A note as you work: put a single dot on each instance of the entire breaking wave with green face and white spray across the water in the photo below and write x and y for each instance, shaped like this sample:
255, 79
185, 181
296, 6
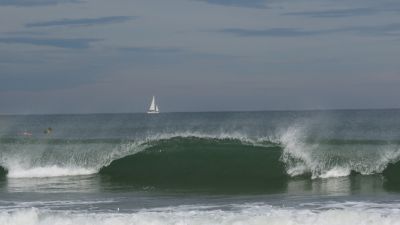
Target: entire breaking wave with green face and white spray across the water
178, 159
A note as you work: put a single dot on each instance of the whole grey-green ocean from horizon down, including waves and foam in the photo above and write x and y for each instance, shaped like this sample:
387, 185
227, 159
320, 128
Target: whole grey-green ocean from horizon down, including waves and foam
274, 167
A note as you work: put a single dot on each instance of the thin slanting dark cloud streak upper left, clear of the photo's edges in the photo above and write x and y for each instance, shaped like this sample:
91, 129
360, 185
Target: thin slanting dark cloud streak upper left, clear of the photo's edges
81, 22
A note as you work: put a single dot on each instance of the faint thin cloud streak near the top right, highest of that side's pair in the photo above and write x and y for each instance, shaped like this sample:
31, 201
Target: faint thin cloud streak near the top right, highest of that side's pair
336, 13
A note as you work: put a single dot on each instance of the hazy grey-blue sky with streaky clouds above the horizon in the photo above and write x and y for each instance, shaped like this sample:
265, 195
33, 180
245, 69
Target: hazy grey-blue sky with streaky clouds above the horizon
101, 56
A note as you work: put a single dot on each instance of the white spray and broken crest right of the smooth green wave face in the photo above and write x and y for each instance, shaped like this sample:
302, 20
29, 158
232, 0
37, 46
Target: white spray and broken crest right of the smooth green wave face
326, 159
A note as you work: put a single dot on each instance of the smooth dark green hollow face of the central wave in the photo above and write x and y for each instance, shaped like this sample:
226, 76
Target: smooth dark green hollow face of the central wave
201, 163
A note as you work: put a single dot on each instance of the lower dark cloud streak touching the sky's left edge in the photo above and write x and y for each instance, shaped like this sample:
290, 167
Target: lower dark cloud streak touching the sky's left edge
71, 43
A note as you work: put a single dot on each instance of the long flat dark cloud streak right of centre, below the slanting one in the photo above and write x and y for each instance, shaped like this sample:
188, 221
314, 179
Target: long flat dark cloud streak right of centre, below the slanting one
272, 32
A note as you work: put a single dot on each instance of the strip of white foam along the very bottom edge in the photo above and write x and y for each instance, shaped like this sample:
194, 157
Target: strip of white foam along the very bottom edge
249, 215
